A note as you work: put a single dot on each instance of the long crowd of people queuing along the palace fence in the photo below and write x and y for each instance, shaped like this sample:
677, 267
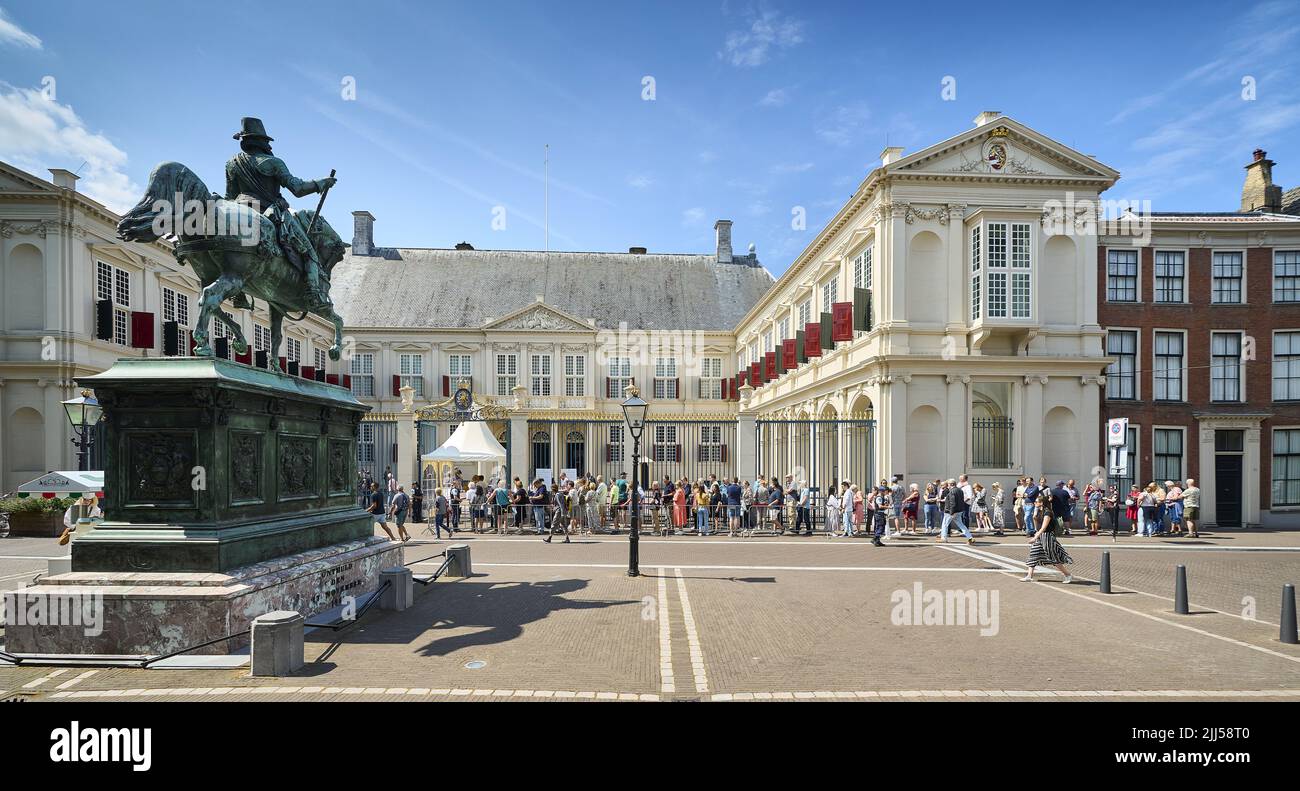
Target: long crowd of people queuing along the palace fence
740, 508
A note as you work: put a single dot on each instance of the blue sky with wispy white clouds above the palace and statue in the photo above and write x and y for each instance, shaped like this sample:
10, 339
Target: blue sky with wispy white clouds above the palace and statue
759, 107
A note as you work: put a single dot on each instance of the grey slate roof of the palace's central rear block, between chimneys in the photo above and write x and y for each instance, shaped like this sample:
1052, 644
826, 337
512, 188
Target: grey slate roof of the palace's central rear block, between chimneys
436, 288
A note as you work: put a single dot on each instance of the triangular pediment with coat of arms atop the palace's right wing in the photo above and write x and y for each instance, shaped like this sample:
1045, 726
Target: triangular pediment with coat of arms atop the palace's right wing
1003, 148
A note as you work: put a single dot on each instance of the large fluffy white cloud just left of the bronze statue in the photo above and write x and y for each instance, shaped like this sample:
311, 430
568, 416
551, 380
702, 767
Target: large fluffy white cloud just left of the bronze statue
38, 135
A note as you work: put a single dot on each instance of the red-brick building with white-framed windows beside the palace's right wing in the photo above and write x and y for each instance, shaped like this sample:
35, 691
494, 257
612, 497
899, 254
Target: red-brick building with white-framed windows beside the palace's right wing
1203, 321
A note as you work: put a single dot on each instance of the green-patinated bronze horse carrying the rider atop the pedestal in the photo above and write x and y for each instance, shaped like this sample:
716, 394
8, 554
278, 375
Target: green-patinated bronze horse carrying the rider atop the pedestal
233, 250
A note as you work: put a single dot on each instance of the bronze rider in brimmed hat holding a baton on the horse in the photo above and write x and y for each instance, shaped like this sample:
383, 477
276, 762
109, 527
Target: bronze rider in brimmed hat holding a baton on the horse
255, 178
